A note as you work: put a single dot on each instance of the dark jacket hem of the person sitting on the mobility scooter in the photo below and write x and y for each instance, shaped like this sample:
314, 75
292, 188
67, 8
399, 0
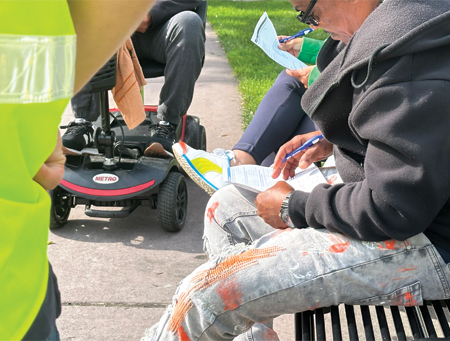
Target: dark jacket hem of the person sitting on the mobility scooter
163, 10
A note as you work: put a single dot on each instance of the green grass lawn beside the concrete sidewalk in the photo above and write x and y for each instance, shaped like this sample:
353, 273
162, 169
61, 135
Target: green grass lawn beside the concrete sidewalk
234, 22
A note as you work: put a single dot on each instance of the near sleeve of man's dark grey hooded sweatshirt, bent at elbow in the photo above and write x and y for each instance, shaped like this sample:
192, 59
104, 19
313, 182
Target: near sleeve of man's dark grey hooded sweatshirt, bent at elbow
407, 167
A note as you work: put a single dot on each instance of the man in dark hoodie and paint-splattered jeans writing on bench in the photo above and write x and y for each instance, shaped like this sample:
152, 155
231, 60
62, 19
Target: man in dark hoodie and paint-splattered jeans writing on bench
383, 236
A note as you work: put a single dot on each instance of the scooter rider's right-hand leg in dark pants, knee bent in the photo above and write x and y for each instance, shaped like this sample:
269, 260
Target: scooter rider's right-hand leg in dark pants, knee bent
180, 44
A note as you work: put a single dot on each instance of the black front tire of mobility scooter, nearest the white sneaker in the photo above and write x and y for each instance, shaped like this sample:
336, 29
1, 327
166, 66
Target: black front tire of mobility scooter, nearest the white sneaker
172, 202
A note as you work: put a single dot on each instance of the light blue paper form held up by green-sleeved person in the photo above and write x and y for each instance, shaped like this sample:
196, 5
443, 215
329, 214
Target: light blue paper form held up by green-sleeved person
266, 38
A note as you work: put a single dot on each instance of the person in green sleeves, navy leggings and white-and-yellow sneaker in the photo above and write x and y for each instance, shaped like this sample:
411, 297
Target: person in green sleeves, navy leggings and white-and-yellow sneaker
278, 119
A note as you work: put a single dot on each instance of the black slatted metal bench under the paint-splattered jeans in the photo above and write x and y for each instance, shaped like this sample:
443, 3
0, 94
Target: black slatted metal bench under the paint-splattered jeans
347, 322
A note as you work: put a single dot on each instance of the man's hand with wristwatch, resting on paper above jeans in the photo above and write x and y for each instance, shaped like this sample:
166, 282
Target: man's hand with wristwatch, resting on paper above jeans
269, 204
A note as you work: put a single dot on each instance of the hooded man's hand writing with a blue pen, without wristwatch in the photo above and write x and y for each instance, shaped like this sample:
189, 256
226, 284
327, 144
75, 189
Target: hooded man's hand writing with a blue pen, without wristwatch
317, 152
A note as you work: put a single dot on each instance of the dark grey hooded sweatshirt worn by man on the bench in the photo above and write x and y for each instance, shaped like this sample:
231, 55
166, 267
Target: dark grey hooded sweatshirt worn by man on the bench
384, 102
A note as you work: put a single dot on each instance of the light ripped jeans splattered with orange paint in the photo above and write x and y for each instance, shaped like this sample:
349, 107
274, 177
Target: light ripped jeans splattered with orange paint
256, 273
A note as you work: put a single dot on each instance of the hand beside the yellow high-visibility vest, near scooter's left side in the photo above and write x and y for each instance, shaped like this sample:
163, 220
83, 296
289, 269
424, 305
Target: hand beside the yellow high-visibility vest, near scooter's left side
51, 172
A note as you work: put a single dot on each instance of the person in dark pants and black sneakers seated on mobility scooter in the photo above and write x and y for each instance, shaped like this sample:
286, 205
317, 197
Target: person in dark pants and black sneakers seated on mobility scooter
171, 34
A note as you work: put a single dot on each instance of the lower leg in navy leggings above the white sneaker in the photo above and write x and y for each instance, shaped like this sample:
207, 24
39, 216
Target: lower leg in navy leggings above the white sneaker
279, 117
